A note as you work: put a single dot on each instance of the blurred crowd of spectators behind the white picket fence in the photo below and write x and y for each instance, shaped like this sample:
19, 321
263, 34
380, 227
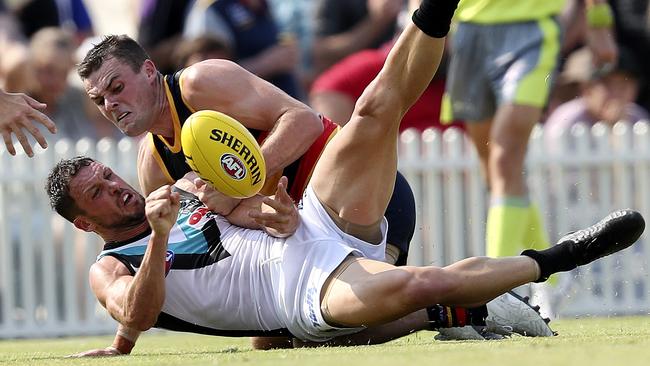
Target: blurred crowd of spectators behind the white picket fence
323, 52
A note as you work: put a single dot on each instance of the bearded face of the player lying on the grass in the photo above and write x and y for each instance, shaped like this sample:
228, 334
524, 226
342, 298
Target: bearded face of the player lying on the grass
106, 200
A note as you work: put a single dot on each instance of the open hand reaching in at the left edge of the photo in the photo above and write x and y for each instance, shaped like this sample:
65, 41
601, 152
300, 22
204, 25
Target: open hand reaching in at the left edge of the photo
18, 112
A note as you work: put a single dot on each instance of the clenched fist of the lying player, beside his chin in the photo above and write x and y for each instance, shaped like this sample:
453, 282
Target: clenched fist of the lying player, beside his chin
161, 209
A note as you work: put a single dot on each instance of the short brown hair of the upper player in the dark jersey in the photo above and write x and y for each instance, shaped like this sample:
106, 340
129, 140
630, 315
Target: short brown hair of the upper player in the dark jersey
121, 47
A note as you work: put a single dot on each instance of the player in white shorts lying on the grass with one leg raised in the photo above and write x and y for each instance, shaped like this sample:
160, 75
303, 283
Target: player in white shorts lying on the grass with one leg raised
170, 262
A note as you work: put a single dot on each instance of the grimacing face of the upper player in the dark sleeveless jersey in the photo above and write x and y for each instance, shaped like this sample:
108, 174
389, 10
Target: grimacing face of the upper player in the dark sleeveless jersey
124, 97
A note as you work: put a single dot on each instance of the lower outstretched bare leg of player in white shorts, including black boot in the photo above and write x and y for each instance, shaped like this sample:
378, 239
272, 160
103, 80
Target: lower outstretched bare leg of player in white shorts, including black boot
368, 292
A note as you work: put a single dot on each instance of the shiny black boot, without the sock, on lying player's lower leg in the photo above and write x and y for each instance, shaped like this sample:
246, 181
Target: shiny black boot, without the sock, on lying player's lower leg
617, 231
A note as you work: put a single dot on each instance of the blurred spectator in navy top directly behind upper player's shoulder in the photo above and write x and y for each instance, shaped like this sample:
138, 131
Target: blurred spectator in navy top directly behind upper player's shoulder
248, 28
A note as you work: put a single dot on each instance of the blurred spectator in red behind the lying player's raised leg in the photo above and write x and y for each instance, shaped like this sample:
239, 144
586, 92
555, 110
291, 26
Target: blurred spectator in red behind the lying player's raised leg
335, 92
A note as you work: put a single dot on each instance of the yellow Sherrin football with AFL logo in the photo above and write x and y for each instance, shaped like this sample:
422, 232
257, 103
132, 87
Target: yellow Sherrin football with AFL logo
223, 153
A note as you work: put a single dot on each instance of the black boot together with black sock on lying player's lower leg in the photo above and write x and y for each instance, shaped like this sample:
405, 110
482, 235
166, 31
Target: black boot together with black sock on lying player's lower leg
617, 231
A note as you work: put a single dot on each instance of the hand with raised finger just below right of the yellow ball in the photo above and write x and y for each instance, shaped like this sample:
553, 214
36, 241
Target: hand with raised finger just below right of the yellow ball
278, 214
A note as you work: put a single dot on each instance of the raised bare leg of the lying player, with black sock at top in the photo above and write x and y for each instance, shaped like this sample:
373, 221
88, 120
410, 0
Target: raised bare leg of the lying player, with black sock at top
356, 172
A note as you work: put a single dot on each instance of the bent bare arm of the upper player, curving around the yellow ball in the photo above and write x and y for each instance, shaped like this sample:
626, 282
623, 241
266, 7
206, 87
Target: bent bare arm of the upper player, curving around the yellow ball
228, 88
